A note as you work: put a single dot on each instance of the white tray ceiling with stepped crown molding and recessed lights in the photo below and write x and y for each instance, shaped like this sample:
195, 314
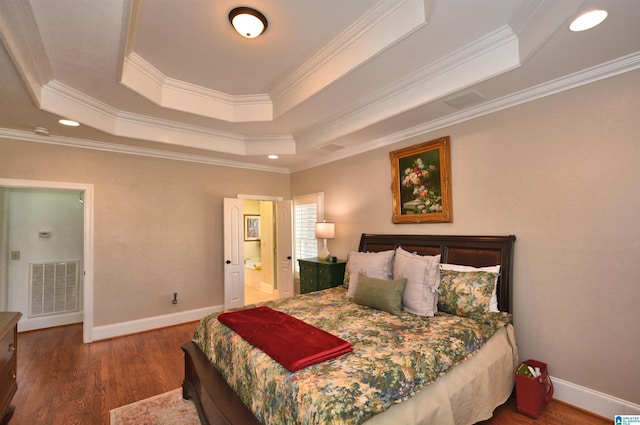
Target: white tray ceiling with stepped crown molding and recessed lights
328, 79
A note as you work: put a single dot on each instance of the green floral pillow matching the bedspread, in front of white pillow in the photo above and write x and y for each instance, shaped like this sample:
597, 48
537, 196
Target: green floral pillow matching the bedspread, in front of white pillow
466, 294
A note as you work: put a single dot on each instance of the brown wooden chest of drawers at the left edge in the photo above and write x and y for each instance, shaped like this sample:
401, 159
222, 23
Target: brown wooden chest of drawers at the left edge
8, 362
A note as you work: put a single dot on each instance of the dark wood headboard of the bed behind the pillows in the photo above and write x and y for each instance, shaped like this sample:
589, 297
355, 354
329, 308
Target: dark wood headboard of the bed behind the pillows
477, 251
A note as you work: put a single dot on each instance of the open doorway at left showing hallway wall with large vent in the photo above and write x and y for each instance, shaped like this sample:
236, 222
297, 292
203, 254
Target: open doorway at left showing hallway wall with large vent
44, 241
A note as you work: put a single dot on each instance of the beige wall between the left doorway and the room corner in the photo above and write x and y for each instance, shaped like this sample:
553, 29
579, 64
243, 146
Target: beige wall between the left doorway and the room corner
157, 223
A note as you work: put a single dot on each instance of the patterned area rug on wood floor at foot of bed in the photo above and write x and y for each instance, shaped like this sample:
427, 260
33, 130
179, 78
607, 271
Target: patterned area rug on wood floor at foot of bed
163, 409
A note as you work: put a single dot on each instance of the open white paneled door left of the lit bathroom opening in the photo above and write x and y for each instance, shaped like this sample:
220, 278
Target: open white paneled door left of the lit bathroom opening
233, 254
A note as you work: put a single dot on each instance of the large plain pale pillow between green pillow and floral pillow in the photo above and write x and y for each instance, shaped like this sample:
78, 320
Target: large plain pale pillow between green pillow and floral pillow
422, 274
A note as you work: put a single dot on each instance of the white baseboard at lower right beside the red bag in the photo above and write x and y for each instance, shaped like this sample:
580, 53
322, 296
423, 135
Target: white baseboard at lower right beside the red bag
593, 401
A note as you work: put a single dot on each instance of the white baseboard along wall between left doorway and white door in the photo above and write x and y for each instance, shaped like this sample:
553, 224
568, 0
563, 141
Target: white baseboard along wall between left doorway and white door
150, 323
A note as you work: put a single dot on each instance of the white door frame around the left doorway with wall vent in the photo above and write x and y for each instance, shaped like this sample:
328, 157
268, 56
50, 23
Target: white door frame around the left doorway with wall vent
87, 301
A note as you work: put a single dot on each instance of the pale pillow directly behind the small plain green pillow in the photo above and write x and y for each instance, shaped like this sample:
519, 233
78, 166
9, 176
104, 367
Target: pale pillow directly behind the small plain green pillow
372, 264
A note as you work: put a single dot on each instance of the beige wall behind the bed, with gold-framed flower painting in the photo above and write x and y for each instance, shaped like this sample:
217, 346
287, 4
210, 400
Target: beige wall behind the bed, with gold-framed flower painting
562, 174
